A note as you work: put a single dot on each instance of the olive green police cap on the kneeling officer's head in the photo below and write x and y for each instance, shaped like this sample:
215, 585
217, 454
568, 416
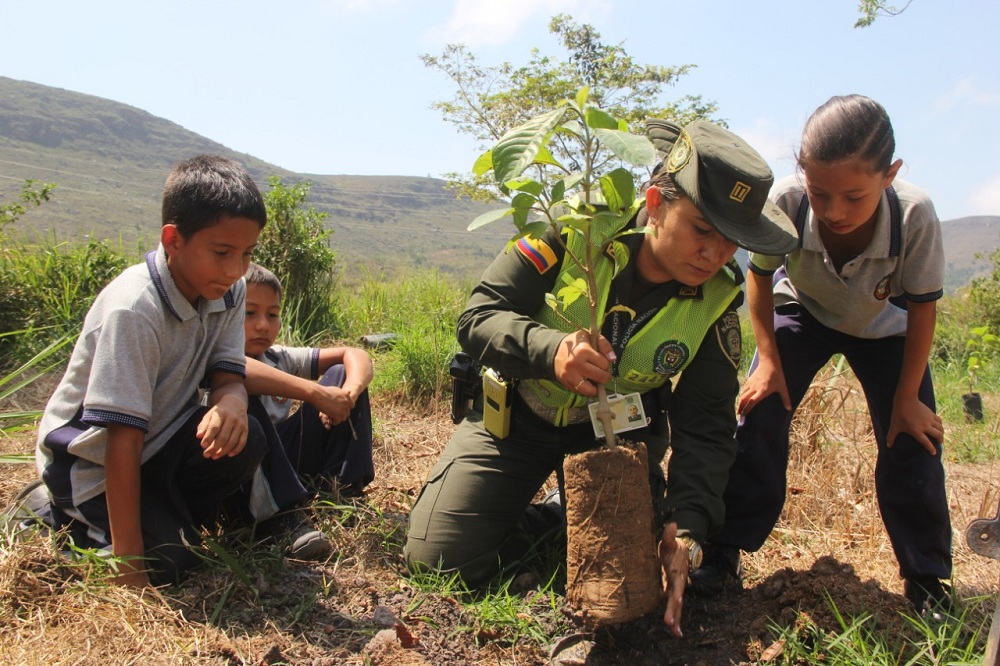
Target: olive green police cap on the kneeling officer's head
727, 180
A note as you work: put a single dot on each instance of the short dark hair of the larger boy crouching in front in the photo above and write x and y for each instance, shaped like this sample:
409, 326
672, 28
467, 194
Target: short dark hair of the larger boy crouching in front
201, 190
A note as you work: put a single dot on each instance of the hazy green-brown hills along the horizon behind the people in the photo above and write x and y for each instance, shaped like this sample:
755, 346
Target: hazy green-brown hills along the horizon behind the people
109, 161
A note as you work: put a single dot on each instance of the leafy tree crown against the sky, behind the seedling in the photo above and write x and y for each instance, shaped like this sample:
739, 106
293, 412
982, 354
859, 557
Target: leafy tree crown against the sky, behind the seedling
491, 100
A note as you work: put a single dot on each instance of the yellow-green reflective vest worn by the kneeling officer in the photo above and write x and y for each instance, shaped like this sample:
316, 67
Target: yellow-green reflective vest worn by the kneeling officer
659, 350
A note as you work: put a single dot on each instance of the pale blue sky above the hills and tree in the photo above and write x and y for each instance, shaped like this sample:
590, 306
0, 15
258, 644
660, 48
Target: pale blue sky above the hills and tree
337, 86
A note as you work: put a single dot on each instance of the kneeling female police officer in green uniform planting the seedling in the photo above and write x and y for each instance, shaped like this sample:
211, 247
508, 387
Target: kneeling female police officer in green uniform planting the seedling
707, 197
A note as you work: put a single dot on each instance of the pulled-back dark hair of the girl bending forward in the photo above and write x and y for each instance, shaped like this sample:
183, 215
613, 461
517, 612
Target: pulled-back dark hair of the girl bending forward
849, 126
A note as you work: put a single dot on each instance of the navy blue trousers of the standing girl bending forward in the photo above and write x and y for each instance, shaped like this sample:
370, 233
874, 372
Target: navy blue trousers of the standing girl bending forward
909, 482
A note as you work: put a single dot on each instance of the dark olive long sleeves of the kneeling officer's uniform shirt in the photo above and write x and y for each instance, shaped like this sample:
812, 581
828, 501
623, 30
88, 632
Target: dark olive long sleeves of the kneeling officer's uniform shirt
496, 328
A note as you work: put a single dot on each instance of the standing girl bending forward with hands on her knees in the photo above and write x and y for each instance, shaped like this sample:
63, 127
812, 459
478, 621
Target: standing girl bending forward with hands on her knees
864, 283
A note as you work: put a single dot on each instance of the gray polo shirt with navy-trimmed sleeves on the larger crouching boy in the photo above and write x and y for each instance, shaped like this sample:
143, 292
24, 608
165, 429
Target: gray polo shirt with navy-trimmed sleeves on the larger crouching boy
140, 358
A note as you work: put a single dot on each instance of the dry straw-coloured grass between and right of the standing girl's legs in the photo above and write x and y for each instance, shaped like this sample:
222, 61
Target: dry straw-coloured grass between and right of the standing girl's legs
831, 508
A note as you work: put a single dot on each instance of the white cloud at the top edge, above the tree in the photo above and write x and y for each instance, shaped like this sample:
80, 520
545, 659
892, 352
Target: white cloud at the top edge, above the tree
491, 22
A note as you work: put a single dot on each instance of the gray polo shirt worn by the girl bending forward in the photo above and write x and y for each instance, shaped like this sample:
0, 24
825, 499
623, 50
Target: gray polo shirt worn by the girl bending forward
905, 259
